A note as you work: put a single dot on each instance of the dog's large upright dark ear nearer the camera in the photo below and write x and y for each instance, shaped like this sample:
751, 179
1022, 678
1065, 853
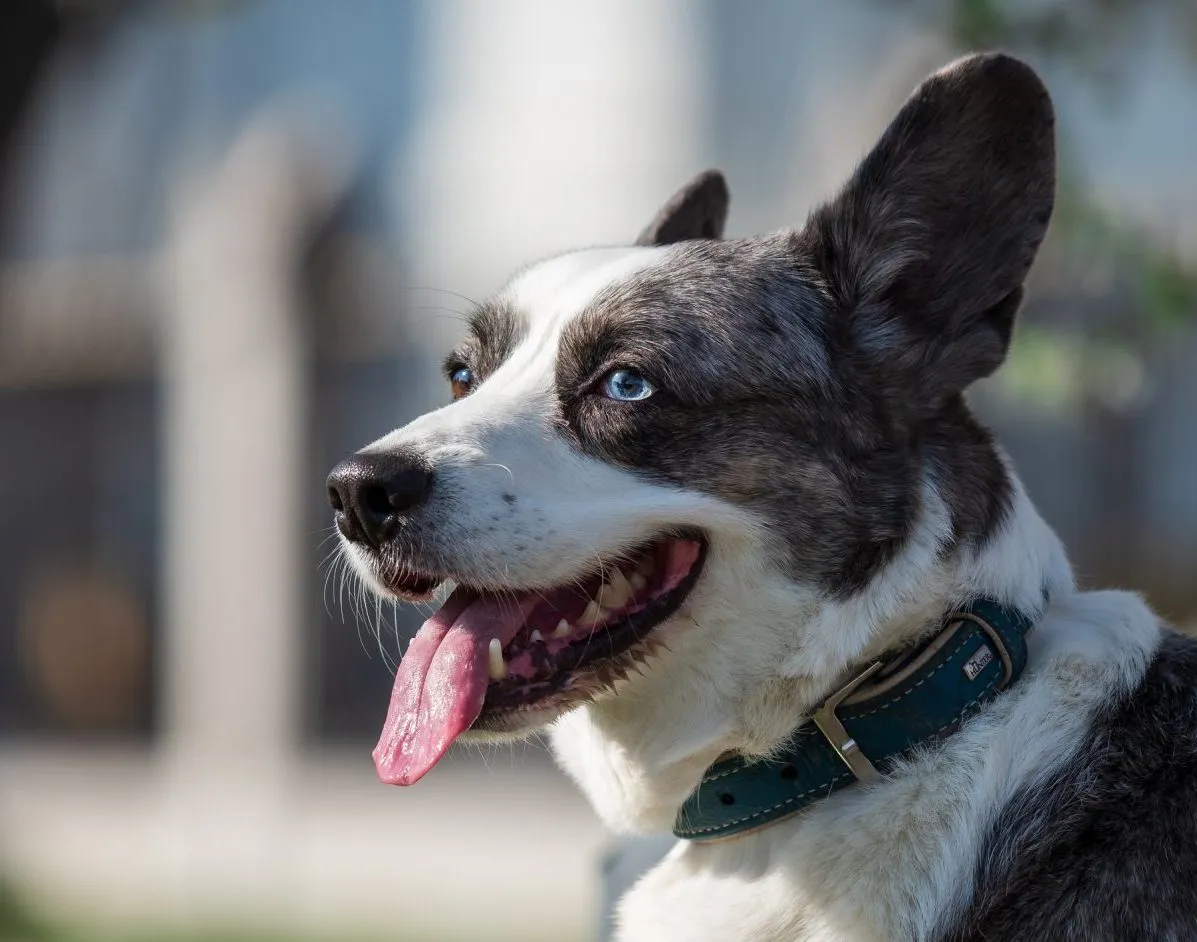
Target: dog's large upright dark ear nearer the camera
927, 247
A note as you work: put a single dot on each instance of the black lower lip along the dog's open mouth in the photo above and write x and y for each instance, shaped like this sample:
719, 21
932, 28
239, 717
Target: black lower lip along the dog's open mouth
604, 658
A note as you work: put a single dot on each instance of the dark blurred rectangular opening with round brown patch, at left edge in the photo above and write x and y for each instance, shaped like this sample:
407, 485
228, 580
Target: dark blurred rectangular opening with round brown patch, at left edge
78, 578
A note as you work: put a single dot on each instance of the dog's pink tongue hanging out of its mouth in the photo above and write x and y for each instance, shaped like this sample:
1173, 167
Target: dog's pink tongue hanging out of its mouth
442, 682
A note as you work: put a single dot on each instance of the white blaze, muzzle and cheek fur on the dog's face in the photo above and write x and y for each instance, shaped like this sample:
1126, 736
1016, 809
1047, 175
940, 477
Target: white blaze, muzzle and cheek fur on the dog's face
531, 512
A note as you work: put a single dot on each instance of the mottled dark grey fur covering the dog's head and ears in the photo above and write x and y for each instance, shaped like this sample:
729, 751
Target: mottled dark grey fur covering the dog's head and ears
817, 378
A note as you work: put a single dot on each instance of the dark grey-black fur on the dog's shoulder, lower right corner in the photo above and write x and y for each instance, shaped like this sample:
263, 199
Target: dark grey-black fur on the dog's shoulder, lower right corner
1107, 848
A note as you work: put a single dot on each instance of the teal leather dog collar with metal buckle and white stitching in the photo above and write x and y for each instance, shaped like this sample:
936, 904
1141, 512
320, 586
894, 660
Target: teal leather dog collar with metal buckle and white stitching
882, 715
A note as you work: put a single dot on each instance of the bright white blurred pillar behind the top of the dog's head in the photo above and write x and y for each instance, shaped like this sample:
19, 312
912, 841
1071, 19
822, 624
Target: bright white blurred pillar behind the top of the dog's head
546, 126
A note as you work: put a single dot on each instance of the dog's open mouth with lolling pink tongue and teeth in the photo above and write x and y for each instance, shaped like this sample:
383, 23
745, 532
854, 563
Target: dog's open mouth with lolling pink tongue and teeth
487, 657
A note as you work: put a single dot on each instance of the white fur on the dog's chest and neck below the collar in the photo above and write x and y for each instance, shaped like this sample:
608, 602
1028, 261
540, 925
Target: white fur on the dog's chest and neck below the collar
891, 862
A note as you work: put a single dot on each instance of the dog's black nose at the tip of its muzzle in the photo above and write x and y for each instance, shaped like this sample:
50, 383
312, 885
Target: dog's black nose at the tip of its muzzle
369, 494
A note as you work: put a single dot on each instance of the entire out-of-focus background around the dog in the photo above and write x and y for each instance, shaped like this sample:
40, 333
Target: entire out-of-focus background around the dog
235, 241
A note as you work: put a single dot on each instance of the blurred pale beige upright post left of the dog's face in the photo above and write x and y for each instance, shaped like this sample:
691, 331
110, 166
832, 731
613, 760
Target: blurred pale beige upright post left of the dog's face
234, 361
